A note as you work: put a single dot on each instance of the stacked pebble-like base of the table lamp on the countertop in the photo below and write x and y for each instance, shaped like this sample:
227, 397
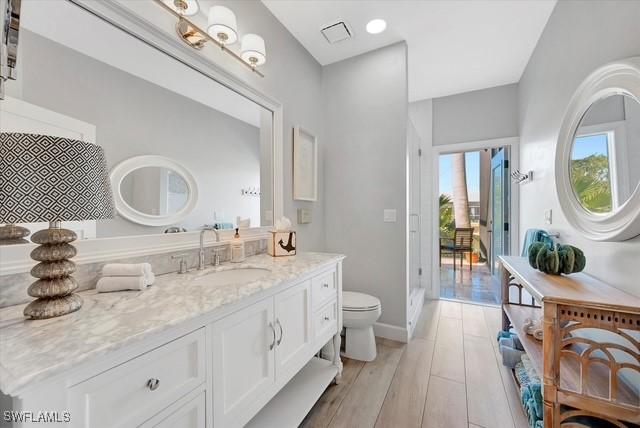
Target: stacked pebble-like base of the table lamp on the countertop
55, 286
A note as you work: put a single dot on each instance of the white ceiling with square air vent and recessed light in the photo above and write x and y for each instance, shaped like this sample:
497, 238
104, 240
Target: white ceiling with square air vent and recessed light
454, 45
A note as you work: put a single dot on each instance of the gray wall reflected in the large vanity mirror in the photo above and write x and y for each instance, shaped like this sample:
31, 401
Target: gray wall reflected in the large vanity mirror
135, 117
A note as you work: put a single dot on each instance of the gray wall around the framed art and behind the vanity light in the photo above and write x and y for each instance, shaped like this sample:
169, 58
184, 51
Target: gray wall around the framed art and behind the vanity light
293, 77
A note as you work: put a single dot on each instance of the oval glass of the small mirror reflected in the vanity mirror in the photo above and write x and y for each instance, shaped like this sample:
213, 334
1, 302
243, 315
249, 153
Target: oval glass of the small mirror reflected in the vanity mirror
156, 191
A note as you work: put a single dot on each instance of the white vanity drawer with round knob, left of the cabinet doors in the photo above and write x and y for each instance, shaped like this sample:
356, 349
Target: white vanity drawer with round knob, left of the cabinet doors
130, 393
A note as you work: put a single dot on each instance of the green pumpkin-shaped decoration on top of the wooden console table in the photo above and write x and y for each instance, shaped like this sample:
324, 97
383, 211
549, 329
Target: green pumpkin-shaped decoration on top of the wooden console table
556, 259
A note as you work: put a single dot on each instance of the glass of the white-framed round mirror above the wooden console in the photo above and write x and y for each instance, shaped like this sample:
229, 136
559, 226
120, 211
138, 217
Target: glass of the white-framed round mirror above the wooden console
605, 157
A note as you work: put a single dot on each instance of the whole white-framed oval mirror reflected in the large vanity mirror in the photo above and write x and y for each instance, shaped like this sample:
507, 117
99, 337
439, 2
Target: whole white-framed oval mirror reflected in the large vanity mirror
153, 190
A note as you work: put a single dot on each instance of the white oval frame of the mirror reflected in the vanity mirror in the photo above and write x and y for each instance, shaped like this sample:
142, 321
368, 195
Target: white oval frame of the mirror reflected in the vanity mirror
127, 166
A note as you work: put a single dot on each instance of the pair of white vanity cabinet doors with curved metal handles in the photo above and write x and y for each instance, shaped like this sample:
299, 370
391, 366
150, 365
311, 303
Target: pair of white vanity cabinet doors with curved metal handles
258, 349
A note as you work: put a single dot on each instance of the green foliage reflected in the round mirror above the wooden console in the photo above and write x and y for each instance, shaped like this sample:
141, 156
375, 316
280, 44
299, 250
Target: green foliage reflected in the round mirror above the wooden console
591, 182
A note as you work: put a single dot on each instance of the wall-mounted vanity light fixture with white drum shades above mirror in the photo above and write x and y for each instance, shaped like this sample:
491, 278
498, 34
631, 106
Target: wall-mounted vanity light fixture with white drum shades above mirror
221, 30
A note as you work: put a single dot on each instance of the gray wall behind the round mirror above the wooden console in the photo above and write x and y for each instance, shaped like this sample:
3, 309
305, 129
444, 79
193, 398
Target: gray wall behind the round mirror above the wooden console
579, 37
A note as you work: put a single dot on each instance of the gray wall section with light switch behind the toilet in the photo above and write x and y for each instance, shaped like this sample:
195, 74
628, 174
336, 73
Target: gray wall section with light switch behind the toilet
365, 120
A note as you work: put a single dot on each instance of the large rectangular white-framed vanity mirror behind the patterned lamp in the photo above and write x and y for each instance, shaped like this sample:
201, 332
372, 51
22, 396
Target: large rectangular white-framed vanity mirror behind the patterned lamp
213, 140
